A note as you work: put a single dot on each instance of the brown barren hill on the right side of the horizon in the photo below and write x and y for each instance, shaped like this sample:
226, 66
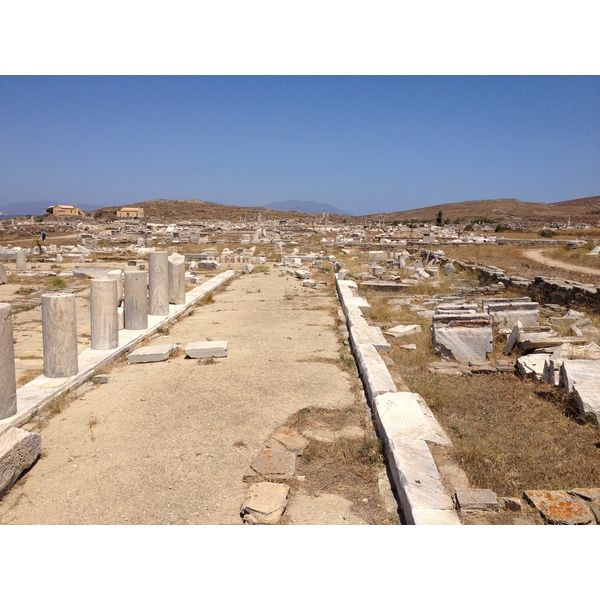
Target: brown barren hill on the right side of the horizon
510, 211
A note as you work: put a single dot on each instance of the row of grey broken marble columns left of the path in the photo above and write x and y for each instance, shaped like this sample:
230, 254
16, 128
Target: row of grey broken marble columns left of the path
143, 294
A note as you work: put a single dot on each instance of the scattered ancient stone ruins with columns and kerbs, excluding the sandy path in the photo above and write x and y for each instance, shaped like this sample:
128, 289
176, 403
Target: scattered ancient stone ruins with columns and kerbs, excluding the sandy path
120, 284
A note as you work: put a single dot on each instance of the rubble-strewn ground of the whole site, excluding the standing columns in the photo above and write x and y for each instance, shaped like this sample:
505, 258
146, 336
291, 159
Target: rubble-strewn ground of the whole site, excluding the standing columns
389, 375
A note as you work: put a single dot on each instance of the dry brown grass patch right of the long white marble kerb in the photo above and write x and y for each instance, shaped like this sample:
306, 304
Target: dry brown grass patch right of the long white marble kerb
509, 435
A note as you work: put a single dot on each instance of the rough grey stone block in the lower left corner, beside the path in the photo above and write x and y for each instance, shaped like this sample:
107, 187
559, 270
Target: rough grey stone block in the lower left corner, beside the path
19, 449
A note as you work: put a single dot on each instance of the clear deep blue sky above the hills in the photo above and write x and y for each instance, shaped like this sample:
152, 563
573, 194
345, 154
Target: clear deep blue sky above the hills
362, 143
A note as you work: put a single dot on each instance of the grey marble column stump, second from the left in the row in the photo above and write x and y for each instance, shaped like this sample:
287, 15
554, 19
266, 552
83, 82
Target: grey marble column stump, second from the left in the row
59, 333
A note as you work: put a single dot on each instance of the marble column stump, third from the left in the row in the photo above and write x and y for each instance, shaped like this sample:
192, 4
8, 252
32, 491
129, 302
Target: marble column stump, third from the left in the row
104, 316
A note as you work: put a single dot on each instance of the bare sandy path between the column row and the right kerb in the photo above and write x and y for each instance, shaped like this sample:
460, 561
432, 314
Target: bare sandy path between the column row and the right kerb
170, 442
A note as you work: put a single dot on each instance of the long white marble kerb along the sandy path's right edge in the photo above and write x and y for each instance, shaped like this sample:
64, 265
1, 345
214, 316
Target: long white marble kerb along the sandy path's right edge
405, 425
